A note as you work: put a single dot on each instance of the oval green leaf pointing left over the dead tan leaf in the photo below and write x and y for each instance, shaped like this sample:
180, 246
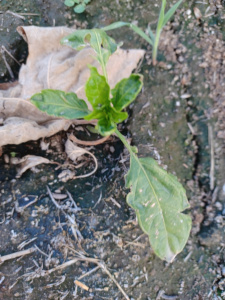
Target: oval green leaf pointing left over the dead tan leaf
60, 104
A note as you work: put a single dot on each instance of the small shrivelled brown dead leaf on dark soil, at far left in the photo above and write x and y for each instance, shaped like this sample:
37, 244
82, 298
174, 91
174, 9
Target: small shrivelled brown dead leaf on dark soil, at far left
28, 162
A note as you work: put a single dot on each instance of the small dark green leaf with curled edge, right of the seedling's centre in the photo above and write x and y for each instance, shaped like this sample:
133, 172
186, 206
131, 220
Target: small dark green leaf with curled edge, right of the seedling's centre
126, 91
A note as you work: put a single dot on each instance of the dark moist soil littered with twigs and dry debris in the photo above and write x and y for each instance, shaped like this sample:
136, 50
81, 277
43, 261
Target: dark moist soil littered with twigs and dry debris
178, 119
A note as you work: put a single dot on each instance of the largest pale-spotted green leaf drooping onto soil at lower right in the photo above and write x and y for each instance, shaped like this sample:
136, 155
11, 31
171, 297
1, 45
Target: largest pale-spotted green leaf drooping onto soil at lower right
158, 199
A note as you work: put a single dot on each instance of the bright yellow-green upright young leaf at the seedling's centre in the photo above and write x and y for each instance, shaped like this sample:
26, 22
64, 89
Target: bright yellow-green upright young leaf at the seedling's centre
97, 89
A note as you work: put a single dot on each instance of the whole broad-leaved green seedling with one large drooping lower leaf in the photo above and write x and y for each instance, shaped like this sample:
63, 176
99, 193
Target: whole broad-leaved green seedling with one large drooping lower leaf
156, 196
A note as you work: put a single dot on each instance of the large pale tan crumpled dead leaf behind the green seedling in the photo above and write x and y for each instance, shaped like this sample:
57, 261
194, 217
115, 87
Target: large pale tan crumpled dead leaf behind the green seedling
51, 65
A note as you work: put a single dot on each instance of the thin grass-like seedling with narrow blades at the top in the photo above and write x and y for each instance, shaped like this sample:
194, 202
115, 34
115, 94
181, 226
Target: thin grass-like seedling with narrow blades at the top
150, 37
